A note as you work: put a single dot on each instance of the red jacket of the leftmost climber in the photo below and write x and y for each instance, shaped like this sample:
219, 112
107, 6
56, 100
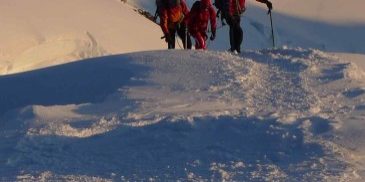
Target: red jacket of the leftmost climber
171, 16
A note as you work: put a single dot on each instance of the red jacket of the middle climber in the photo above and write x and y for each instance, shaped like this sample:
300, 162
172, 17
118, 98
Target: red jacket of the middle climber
199, 17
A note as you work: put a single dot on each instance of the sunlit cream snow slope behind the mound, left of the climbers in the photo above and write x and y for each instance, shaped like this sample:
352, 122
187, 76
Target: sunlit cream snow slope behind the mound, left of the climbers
41, 33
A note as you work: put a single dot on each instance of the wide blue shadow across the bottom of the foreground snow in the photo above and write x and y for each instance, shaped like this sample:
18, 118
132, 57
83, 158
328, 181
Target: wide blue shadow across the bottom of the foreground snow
171, 150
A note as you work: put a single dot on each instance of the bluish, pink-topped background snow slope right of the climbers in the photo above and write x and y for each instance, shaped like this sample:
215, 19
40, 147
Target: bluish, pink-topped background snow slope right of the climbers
328, 25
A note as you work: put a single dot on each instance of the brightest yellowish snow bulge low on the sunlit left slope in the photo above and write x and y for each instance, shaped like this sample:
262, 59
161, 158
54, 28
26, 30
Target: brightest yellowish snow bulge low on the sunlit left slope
74, 47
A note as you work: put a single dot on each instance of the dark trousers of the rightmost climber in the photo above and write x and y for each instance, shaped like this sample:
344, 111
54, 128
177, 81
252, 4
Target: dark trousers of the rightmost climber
235, 32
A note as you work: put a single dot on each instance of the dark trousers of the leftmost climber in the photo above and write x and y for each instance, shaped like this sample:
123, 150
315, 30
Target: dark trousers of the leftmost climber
180, 30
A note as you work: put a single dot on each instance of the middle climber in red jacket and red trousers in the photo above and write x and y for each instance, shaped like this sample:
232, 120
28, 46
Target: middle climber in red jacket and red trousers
200, 14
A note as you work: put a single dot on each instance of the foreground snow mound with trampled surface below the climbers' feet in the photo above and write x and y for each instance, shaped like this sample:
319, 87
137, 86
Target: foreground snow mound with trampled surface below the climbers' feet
186, 115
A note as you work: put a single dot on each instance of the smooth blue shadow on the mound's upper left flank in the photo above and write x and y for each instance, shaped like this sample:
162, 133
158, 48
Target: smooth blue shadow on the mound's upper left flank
86, 81
